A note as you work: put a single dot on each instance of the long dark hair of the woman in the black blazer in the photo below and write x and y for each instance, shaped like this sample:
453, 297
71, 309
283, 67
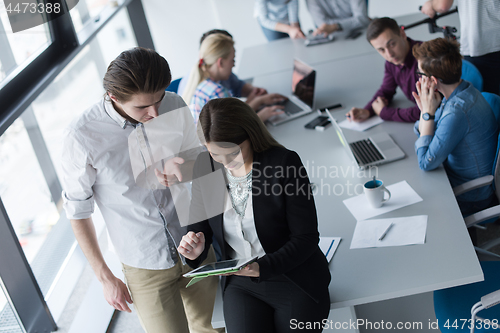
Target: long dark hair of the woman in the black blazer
233, 121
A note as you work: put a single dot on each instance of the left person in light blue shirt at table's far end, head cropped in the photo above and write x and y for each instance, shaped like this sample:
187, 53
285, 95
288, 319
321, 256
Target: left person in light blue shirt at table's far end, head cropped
278, 18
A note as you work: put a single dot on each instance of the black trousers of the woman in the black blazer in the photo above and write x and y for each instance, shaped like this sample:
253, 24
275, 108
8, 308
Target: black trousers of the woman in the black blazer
273, 306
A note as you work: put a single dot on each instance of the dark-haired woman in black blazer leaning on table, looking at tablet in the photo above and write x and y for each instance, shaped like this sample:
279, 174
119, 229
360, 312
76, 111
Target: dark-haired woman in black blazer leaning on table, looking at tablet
287, 288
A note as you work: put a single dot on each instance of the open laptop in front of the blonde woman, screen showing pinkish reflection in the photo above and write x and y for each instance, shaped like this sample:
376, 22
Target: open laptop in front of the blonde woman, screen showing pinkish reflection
301, 102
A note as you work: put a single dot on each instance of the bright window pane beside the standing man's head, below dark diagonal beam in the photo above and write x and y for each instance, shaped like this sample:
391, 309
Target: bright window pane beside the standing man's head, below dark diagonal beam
80, 84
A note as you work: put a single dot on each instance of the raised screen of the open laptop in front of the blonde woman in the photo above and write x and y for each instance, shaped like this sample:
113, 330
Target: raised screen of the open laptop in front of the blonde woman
303, 81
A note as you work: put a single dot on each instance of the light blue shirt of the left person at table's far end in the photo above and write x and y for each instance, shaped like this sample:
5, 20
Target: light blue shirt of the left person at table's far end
271, 12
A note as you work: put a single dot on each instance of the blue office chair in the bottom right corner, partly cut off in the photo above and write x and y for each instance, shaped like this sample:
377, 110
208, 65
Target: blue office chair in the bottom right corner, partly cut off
454, 306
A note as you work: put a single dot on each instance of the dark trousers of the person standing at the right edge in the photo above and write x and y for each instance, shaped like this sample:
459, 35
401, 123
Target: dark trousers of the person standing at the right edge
489, 67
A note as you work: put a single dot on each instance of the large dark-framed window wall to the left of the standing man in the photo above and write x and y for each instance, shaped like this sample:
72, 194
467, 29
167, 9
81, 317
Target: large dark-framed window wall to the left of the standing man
48, 76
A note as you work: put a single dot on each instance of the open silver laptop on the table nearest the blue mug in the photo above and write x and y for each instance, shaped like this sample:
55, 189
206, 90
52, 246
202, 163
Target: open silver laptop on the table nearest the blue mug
377, 149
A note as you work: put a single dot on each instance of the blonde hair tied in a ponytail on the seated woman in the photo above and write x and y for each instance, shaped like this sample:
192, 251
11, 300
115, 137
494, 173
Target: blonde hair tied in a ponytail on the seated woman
213, 47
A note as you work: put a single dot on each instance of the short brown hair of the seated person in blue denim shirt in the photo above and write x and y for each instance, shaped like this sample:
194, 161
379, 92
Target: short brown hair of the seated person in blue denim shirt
440, 58
